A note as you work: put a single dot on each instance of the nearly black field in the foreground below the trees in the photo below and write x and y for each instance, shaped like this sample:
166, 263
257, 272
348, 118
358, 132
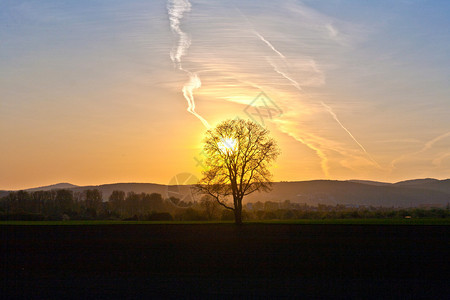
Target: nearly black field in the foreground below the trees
258, 260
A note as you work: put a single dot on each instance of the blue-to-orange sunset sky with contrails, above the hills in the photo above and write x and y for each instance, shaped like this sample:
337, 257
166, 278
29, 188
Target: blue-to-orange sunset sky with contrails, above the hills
107, 91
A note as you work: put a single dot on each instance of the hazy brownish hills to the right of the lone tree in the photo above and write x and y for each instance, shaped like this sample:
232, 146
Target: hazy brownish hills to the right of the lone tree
354, 193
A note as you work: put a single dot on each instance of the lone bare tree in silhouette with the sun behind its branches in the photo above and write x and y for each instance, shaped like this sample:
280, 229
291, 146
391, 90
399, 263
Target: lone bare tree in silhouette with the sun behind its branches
239, 154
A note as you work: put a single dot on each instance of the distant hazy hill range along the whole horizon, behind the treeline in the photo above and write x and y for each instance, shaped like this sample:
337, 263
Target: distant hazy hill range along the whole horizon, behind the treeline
417, 192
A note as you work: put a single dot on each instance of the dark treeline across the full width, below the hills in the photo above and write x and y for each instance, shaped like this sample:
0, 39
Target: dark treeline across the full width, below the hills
65, 204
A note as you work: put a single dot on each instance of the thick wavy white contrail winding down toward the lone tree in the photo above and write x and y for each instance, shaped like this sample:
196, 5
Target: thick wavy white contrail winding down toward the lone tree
176, 9
